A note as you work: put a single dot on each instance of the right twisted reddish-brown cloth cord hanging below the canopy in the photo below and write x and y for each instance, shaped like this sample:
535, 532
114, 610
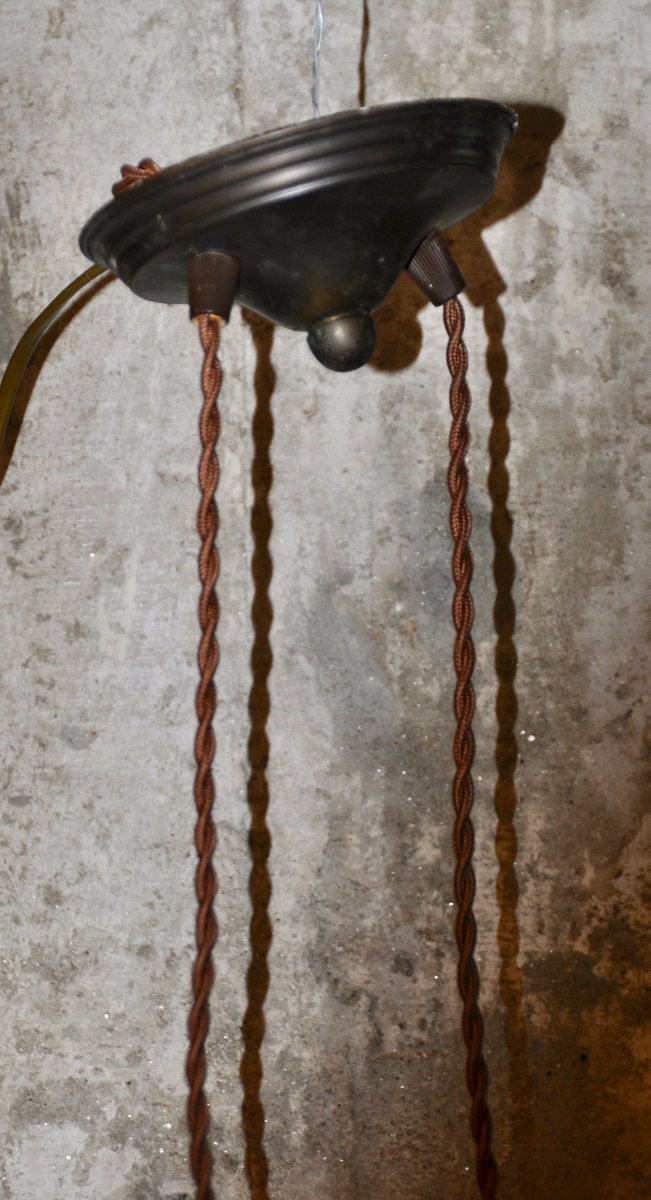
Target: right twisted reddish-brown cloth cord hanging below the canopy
464, 751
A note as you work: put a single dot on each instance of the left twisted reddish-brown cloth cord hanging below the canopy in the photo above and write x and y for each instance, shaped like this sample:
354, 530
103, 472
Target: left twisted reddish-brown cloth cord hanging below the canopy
201, 1159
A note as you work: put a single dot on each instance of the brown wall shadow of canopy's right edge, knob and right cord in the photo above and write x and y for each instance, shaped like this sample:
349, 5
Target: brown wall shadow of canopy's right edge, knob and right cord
399, 344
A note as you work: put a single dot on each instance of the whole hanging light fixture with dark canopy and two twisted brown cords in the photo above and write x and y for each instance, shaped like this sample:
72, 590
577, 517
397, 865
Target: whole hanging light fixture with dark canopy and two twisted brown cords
309, 226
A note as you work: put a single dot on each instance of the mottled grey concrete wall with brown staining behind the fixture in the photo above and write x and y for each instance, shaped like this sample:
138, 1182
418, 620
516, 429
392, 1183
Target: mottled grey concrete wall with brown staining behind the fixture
363, 1070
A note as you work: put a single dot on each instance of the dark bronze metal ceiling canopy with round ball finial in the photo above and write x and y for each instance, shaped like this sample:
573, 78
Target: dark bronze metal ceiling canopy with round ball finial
322, 217
